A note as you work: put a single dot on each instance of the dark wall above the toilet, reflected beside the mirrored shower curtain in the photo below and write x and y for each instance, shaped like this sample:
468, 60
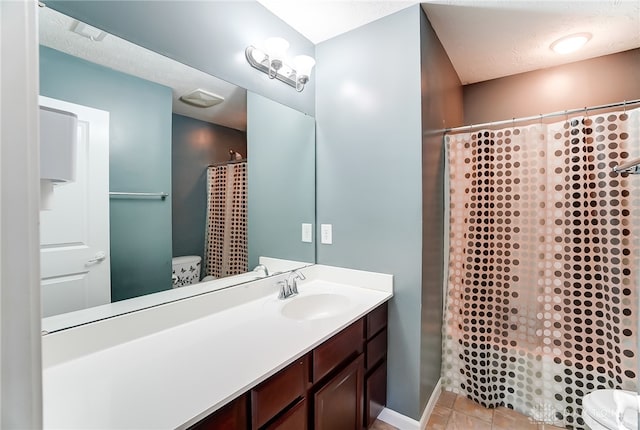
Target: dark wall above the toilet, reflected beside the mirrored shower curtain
195, 145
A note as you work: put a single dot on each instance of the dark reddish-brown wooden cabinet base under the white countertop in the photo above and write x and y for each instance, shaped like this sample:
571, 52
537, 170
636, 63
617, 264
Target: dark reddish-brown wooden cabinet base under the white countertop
339, 385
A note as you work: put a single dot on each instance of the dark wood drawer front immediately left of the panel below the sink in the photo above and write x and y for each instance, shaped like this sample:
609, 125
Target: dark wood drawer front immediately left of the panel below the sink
276, 393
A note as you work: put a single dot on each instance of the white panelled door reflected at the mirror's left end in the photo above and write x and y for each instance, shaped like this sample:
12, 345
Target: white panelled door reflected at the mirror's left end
74, 234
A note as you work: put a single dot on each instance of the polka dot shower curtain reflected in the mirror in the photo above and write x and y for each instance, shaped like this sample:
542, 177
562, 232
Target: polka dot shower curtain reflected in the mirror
226, 231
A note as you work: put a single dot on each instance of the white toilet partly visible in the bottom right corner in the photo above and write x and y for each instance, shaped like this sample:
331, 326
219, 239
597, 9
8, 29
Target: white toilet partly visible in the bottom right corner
601, 407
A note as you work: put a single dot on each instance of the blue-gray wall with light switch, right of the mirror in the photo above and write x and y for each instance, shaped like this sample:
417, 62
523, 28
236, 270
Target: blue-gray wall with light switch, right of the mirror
369, 174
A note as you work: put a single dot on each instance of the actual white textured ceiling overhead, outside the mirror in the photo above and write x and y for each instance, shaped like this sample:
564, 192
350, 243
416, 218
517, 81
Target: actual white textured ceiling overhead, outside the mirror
485, 39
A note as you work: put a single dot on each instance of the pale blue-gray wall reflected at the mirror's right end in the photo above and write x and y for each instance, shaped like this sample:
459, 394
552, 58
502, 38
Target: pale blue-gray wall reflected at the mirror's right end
281, 180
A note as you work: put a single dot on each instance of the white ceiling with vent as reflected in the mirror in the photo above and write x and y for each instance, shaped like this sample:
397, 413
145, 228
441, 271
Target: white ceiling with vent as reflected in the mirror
118, 54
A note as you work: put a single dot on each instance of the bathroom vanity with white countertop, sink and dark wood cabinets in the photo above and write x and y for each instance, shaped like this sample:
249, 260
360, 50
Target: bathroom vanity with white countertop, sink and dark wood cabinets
235, 358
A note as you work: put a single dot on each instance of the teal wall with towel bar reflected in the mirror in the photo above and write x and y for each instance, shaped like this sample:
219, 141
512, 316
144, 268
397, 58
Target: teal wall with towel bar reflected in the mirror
139, 161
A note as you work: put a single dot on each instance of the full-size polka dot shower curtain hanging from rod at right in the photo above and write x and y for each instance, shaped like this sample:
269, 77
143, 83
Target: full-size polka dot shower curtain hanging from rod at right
541, 302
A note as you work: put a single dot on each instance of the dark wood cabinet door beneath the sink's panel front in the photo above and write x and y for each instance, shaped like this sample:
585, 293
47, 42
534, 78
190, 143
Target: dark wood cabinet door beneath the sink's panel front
338, 404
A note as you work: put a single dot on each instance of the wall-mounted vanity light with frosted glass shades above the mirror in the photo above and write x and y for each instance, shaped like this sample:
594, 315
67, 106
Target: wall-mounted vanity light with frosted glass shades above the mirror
272, 60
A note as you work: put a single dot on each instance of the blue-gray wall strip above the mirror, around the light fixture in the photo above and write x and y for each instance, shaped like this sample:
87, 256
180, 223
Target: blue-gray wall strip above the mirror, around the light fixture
208, 35
